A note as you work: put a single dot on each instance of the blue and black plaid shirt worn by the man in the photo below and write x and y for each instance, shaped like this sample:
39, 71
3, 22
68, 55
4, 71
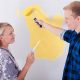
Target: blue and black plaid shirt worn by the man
72, 65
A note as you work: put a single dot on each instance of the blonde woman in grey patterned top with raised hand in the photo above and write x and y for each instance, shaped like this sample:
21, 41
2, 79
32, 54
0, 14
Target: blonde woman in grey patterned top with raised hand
8, 67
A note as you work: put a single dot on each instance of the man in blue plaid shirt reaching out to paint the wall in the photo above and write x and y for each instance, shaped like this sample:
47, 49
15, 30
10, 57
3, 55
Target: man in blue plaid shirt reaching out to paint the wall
72, 36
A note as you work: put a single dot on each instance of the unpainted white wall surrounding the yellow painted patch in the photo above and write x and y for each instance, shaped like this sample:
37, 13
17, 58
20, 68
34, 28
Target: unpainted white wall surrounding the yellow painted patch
41, 69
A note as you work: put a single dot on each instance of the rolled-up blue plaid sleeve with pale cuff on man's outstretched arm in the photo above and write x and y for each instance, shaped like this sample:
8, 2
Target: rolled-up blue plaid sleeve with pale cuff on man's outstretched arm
66, 35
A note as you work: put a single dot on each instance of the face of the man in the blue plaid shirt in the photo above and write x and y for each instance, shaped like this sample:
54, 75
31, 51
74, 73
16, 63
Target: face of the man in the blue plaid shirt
70, 20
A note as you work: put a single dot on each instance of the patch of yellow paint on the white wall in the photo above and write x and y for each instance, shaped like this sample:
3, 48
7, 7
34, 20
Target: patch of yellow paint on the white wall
51, 46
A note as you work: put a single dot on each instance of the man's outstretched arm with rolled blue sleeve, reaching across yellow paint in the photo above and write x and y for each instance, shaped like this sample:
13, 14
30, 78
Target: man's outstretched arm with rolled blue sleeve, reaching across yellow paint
66, 35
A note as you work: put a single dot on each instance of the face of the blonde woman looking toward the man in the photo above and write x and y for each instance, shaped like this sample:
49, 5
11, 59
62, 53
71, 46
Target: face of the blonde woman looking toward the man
8, 35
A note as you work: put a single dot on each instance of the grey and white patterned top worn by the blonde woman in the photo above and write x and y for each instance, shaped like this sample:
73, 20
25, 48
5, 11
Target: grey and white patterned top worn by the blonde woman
9, 69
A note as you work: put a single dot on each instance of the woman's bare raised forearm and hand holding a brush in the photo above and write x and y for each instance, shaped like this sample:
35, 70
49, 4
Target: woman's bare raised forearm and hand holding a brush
29, 61
